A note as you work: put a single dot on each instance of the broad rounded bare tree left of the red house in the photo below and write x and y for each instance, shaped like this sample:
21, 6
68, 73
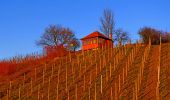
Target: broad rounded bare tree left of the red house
56, 35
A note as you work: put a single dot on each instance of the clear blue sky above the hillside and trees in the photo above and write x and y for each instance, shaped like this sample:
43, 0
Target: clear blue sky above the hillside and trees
22, 22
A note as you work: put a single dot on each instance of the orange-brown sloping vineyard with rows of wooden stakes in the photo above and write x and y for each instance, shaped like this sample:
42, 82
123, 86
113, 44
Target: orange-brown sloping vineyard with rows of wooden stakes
130, 72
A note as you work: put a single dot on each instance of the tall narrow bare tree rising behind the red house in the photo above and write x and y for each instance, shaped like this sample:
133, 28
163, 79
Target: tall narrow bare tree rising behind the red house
107, 22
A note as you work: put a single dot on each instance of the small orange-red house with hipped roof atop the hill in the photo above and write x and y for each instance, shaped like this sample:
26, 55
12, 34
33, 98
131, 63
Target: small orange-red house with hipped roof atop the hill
96, 40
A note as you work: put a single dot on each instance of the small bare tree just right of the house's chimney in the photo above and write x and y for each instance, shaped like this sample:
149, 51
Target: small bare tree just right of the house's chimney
121, 36
